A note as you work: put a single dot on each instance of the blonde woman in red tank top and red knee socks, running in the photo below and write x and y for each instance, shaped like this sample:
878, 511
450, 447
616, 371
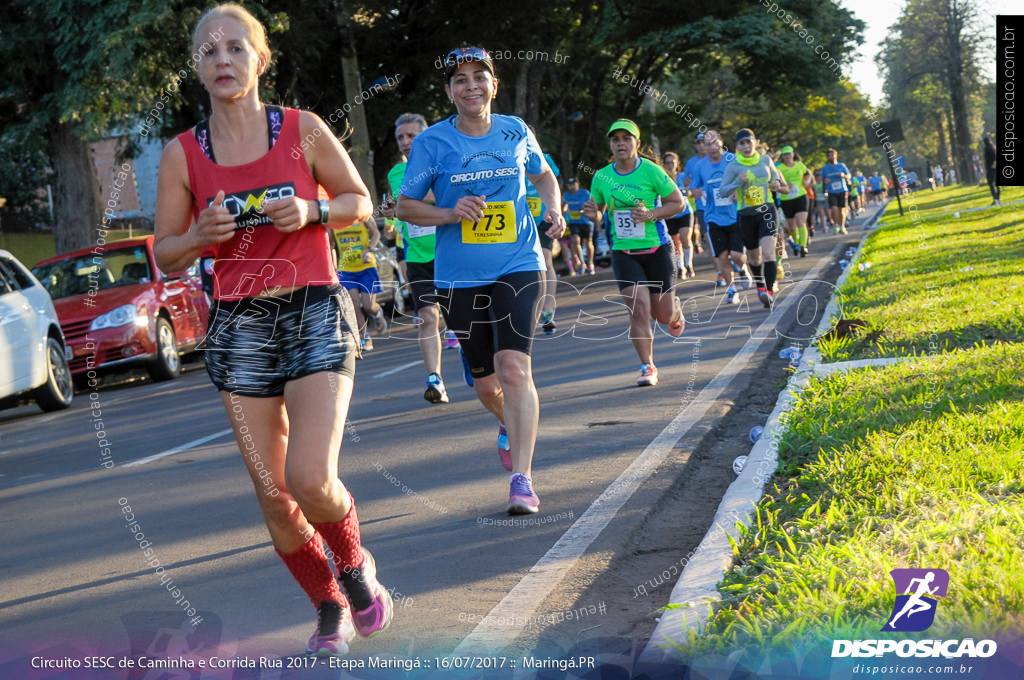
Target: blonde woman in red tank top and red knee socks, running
248, 188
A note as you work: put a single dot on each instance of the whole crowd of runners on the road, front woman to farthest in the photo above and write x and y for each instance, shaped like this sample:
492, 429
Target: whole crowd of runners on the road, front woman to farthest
477, 210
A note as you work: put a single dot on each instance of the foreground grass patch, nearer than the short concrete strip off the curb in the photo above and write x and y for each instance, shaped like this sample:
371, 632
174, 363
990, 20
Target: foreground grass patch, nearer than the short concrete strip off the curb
914, 465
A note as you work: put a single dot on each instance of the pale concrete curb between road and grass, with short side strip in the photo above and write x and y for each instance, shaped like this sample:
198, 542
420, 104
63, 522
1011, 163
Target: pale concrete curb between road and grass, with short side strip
697, 590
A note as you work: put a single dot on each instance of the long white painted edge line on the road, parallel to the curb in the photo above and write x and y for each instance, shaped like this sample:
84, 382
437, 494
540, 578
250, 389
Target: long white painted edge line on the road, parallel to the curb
523, 602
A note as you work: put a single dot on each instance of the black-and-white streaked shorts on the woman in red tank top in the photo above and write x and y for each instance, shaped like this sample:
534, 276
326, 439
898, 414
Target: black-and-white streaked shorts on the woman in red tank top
255, 346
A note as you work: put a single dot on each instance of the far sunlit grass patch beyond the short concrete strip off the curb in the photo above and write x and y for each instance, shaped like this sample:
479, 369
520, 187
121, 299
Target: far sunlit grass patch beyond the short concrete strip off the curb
941, 282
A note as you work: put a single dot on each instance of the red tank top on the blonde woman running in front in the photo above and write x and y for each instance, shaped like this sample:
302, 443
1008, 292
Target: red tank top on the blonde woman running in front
260, 258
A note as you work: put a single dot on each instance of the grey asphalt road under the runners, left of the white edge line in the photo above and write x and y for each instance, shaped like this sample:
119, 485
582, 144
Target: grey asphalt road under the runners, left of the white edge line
426, 479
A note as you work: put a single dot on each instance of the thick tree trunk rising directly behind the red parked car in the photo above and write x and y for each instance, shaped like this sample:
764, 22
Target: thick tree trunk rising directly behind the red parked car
77, 205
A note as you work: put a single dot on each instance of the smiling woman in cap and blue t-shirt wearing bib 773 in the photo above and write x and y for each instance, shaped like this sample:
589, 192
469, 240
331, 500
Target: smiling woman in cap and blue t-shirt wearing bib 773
478, 164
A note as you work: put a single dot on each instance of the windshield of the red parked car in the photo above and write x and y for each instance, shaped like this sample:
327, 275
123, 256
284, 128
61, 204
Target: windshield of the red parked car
112, 269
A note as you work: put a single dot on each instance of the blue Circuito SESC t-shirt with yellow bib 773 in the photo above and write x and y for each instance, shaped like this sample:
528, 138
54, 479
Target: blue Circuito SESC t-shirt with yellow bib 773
494, 166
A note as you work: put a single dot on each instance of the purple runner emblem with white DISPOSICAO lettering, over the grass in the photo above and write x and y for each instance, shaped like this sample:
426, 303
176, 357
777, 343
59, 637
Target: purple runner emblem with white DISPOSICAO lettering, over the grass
917, 601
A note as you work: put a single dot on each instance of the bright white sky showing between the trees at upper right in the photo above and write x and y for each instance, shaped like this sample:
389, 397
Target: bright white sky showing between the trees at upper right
880, 15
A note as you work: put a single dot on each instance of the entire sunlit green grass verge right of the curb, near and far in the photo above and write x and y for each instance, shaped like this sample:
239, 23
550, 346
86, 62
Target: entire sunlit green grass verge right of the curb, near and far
912, 465
